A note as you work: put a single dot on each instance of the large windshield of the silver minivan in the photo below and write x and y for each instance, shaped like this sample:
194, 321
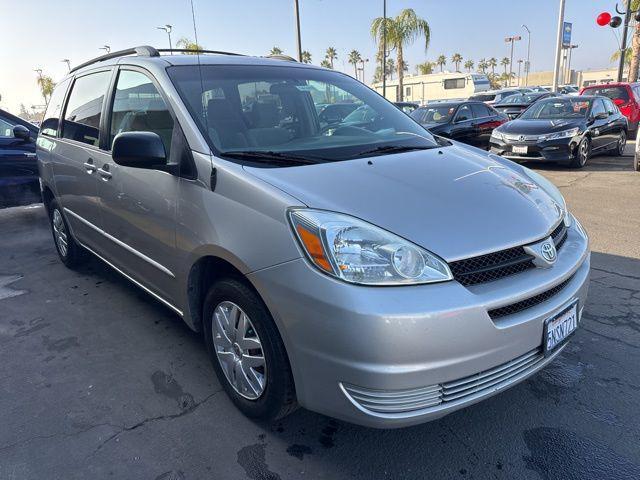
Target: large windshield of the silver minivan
274, 109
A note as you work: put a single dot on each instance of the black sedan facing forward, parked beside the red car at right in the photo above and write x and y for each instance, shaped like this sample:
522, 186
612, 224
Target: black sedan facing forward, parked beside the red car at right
564, 129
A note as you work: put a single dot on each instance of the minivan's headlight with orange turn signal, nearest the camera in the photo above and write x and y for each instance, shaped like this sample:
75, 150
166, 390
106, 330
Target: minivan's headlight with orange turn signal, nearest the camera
358, 252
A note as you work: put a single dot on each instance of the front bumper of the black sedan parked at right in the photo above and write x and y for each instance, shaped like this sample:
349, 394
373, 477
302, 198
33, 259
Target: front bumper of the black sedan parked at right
561, 150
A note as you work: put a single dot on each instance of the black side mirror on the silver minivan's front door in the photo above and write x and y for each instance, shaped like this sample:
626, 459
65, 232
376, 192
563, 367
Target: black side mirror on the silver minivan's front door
139, 150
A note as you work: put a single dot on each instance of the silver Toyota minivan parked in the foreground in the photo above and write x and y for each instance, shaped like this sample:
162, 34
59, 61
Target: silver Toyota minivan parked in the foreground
361, 268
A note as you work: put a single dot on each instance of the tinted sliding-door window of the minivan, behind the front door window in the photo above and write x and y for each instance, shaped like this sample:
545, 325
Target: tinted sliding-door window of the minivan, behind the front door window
84, 107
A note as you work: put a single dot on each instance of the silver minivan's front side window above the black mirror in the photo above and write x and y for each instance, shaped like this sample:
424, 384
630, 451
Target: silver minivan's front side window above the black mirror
139, 107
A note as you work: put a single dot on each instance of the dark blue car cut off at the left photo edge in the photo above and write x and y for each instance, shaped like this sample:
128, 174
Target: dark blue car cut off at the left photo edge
18, 163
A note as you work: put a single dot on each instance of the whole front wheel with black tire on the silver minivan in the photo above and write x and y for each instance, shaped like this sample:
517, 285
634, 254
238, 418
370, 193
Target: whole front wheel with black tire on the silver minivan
247, 352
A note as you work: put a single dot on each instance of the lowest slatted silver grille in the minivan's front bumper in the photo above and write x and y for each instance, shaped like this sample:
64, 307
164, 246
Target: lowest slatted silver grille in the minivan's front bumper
428, 398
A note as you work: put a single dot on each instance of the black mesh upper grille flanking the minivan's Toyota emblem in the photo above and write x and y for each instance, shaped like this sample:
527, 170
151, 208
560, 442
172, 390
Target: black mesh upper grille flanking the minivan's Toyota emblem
500, 264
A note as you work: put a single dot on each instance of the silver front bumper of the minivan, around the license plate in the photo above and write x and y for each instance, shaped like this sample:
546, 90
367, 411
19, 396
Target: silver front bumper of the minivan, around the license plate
377, 356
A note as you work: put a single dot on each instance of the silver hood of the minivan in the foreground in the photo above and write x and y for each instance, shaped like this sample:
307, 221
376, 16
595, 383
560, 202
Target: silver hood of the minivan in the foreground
455, 201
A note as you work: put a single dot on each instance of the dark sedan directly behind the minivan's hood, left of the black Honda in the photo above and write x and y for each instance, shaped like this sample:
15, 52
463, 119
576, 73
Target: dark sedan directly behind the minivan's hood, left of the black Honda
466, 121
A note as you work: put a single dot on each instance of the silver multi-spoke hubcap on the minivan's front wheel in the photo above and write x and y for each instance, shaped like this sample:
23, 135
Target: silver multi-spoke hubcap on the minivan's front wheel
239, 350
